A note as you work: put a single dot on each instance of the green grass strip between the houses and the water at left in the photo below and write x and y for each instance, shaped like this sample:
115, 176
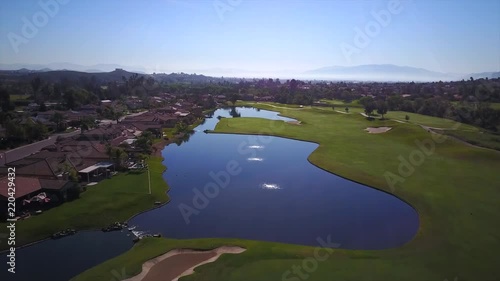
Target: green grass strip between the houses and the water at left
115, 199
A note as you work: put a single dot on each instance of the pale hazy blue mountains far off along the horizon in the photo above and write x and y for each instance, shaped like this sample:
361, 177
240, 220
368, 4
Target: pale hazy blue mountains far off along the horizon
368, 72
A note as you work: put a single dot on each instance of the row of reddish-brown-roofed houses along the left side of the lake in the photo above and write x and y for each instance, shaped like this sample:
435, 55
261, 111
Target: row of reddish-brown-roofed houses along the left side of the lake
47, 173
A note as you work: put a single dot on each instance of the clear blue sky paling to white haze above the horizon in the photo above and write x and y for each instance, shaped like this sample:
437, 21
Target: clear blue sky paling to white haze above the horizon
272, 36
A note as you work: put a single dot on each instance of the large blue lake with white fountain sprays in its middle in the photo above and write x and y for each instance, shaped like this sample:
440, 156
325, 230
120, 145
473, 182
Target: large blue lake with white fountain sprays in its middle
277, 195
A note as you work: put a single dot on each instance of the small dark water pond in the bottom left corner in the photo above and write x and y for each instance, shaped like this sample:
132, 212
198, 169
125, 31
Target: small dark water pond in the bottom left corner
62, 259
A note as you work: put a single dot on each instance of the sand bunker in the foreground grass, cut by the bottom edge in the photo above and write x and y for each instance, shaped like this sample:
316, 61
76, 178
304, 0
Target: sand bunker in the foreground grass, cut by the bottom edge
180, 262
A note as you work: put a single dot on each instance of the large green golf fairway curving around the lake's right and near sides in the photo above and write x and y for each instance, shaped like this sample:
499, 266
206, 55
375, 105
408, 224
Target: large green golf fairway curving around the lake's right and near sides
455, 191
